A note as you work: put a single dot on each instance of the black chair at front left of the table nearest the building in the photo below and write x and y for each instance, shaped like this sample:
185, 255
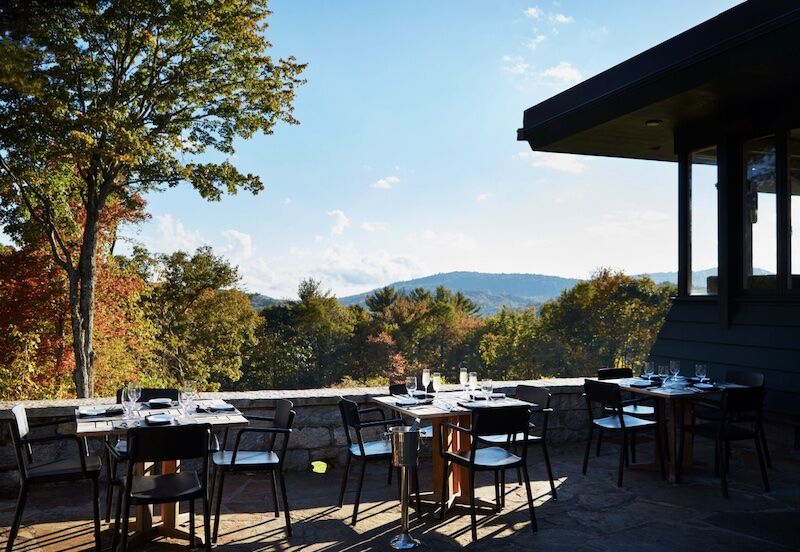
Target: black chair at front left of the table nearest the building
608, 395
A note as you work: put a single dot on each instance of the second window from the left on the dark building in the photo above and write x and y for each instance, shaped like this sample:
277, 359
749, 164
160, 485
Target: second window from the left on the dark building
760, 215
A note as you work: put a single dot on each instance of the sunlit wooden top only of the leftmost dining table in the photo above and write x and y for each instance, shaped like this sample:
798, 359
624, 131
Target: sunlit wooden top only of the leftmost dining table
102, 426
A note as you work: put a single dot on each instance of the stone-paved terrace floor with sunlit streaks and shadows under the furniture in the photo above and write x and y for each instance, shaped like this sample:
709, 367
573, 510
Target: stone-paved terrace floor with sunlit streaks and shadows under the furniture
591, 513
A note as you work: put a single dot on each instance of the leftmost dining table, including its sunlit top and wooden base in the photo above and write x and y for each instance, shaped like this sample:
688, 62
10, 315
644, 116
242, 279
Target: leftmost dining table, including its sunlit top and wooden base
107, 421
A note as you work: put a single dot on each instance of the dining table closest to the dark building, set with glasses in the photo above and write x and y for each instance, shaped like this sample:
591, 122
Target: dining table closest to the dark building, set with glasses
674, 399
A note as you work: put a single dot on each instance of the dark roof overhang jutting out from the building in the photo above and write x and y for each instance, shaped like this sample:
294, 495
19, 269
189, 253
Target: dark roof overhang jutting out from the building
747, 58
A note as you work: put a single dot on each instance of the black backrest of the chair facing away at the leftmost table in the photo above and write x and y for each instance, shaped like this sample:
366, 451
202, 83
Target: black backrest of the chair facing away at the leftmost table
157, 444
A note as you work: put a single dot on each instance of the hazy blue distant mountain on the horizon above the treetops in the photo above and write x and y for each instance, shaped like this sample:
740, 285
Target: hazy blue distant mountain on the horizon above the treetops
489, 291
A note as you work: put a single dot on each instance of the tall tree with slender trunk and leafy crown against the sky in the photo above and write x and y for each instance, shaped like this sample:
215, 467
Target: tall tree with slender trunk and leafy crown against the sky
104, 100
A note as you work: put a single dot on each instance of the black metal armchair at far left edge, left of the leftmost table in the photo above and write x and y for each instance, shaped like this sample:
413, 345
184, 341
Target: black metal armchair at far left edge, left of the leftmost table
31, 472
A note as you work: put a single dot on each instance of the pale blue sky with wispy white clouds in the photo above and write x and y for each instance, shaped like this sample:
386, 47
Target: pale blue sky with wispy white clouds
406, 161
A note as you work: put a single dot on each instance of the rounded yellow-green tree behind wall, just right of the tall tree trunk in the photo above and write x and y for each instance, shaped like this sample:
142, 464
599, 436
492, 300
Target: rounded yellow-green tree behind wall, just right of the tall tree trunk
204, 324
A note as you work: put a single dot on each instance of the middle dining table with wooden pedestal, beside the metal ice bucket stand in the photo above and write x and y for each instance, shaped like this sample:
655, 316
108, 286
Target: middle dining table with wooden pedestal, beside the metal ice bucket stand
453, 406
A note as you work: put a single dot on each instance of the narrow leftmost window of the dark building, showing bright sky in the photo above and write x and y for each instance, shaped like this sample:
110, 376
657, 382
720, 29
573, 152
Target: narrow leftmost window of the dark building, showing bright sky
703, 221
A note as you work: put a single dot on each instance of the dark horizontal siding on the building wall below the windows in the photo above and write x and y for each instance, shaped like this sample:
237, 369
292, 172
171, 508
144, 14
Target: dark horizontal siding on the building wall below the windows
763, 337
